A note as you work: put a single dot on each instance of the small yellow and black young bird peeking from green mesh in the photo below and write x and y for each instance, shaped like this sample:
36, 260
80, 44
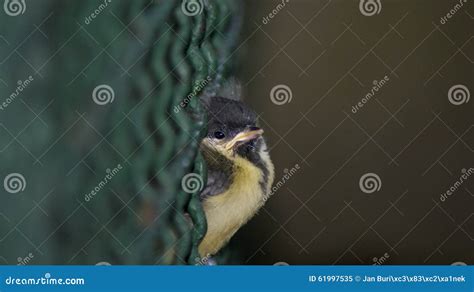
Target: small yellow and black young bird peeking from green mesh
240, 170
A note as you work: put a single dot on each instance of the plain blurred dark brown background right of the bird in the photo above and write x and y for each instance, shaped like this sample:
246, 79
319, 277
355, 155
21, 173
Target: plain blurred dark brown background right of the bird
409, 133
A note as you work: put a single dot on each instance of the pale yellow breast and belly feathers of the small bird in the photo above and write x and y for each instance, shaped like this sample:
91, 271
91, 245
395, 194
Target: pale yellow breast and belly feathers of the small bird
227, 212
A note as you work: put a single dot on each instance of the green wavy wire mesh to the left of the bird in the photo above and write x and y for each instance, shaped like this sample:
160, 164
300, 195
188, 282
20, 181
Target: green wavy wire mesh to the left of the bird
153, 54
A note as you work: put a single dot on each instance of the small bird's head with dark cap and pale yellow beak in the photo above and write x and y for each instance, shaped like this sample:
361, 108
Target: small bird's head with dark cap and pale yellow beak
232, 129
